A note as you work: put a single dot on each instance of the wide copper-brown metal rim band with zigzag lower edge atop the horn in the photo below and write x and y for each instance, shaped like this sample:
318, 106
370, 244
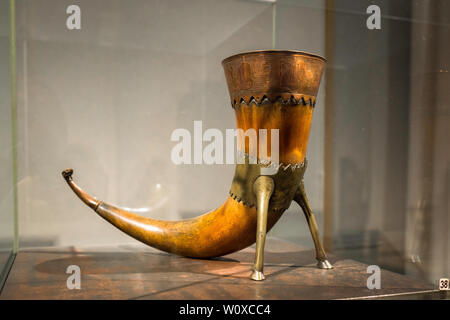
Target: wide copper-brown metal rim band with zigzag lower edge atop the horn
273, 74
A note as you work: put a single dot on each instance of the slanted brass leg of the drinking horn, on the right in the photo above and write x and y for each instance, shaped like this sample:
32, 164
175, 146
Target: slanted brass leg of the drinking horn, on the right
302, 200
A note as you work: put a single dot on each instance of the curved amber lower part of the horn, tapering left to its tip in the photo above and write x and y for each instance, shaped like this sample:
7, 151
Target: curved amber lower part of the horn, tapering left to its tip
229, 228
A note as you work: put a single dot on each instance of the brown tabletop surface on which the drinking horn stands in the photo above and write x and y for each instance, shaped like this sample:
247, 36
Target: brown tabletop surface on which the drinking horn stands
137, 272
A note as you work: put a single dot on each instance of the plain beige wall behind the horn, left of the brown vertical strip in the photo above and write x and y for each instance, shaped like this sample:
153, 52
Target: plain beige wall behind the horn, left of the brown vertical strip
105, 99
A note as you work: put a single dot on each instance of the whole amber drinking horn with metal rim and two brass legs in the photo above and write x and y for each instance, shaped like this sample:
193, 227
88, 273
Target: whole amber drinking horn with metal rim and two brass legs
272, 90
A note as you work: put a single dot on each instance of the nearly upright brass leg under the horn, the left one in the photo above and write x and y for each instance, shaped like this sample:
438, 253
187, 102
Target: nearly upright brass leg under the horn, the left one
263, 188
